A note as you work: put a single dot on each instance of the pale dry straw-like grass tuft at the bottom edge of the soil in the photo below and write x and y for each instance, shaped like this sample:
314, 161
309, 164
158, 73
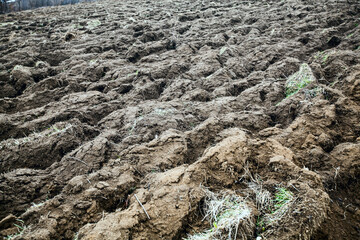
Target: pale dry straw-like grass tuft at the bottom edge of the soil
228, 215
